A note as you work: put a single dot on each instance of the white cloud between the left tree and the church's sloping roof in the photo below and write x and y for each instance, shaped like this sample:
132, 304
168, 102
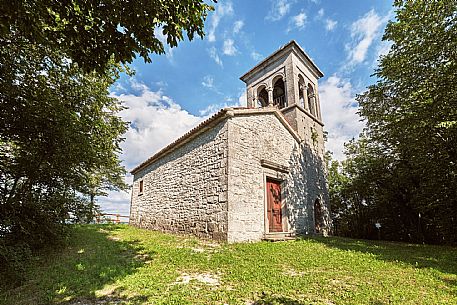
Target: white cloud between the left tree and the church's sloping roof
155, 121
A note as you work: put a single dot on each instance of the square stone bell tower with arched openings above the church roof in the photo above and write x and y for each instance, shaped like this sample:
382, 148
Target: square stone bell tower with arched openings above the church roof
287, 80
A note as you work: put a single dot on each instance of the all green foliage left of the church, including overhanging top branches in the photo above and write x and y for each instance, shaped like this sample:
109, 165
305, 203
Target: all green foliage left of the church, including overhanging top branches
59, 130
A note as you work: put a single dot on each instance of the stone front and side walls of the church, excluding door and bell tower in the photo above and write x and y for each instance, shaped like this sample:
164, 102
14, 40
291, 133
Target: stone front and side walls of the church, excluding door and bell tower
214, 185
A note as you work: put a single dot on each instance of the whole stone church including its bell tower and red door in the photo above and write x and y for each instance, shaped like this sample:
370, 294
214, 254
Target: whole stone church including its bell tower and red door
245, 174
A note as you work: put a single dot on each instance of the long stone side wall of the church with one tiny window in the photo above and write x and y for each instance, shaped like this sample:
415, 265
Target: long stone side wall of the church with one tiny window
186, 190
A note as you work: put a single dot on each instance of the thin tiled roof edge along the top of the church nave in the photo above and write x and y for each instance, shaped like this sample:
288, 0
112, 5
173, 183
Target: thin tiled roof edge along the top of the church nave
210, 122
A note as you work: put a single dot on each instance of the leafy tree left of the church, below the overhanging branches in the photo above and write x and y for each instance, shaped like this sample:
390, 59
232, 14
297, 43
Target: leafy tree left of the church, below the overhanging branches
58, 129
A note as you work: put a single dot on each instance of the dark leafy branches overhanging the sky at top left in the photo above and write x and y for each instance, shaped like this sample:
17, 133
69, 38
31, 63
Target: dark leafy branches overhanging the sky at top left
92, 33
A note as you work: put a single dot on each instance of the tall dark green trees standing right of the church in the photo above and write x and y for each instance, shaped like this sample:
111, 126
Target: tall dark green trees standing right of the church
411, 115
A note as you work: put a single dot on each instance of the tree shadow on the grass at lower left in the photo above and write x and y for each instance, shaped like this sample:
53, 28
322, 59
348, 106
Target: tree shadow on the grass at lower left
84, 272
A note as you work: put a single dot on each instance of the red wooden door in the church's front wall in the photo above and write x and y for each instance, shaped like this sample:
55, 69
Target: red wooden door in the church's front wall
274, 210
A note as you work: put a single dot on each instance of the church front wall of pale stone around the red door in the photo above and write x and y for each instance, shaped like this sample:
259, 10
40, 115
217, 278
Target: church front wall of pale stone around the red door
251, 139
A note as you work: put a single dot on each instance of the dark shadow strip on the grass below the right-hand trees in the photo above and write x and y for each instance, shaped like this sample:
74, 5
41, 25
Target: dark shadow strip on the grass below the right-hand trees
441, 258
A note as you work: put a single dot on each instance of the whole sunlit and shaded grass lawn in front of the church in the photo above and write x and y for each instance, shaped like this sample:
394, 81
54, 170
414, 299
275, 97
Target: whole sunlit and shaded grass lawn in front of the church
118, 264
